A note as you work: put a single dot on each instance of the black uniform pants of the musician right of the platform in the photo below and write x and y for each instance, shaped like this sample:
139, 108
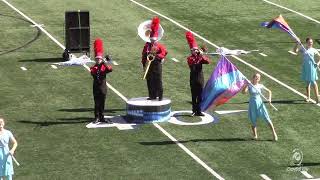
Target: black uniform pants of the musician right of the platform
196, 92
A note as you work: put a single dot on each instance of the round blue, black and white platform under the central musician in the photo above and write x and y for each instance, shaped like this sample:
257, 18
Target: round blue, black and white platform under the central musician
141, 110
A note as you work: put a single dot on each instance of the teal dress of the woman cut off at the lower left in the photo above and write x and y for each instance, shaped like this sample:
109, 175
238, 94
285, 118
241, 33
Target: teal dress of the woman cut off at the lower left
6, 165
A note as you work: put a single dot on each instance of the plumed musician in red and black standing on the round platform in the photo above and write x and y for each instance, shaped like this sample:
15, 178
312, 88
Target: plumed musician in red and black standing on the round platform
154, 52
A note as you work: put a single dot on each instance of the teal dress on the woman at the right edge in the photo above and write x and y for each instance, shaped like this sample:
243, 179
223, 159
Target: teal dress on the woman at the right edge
309, 70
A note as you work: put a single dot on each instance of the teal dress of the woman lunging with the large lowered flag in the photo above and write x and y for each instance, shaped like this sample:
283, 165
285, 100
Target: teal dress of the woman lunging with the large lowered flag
257, 109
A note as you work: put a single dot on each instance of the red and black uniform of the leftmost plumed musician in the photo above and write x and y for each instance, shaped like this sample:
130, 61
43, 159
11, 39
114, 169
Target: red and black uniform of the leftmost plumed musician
99, 72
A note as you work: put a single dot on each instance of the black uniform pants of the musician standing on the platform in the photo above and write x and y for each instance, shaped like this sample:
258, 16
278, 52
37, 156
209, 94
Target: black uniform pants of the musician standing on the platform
154, 81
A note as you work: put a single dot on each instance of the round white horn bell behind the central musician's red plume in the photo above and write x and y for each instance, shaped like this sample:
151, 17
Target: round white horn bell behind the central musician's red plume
144, 30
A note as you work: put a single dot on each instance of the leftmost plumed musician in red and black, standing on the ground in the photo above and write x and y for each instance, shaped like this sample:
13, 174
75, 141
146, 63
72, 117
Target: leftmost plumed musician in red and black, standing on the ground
98, 72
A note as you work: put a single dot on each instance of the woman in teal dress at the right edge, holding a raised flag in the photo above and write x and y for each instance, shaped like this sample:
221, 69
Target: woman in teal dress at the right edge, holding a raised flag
309, 67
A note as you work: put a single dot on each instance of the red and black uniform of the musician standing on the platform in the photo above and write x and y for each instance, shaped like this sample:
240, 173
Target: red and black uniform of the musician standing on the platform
154, 76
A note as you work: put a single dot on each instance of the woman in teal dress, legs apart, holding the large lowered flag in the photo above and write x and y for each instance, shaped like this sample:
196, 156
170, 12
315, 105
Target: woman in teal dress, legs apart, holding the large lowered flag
256, 107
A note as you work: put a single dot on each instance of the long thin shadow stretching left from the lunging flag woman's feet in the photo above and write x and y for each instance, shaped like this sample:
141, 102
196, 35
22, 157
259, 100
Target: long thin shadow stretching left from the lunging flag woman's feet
198, 140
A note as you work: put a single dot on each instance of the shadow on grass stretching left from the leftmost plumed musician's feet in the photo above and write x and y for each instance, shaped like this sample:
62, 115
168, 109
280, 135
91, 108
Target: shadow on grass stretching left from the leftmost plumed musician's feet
62, 121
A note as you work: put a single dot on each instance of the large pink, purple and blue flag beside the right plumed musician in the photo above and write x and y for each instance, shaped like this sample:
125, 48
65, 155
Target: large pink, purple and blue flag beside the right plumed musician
225, 82
